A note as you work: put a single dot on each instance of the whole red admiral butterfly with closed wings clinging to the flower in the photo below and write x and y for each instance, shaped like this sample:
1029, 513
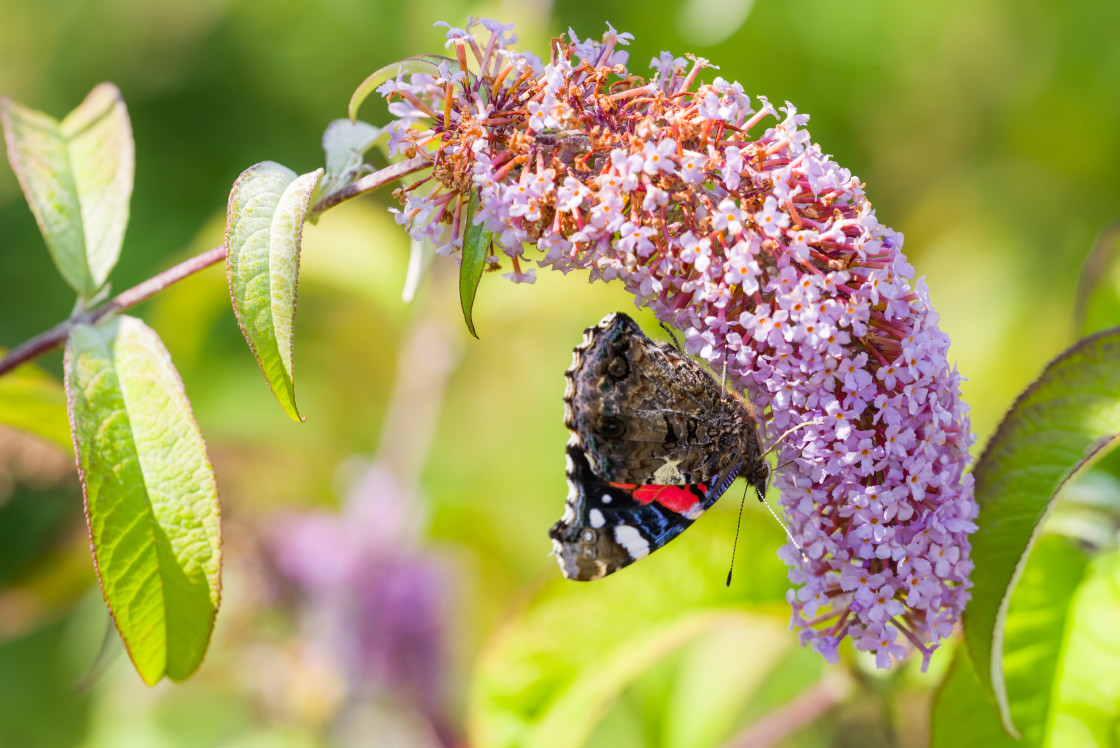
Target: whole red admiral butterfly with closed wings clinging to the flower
656, 441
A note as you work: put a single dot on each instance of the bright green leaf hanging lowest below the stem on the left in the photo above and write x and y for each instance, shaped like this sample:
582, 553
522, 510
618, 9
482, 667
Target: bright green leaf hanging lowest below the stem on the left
151, 497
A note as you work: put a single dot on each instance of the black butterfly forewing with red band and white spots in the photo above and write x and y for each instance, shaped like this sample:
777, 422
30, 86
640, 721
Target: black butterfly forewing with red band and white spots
610, 526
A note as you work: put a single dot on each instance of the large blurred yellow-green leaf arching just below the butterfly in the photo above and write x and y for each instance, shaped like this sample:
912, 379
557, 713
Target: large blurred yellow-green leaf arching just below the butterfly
558, 666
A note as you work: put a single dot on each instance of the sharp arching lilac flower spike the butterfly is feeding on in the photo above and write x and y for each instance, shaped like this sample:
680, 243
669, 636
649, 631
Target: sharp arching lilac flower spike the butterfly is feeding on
770, 258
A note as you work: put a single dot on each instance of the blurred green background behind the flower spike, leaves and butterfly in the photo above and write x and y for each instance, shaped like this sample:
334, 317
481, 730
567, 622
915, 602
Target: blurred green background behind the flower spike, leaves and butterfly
988, 133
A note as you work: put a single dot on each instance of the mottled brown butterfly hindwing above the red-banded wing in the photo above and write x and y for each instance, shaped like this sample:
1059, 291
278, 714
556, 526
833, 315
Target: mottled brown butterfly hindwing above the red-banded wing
646, 414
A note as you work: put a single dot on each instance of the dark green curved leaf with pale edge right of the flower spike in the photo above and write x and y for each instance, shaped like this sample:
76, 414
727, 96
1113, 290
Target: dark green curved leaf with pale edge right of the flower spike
1065, 418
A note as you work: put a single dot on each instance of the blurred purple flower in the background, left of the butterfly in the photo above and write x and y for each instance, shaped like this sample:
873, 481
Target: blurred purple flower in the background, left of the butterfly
371, 595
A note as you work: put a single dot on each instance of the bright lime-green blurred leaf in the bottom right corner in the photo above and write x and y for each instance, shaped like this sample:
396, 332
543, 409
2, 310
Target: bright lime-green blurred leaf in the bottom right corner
1087, 693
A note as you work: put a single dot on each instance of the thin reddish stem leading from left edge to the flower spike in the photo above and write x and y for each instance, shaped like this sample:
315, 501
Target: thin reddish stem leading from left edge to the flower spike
51, 340
